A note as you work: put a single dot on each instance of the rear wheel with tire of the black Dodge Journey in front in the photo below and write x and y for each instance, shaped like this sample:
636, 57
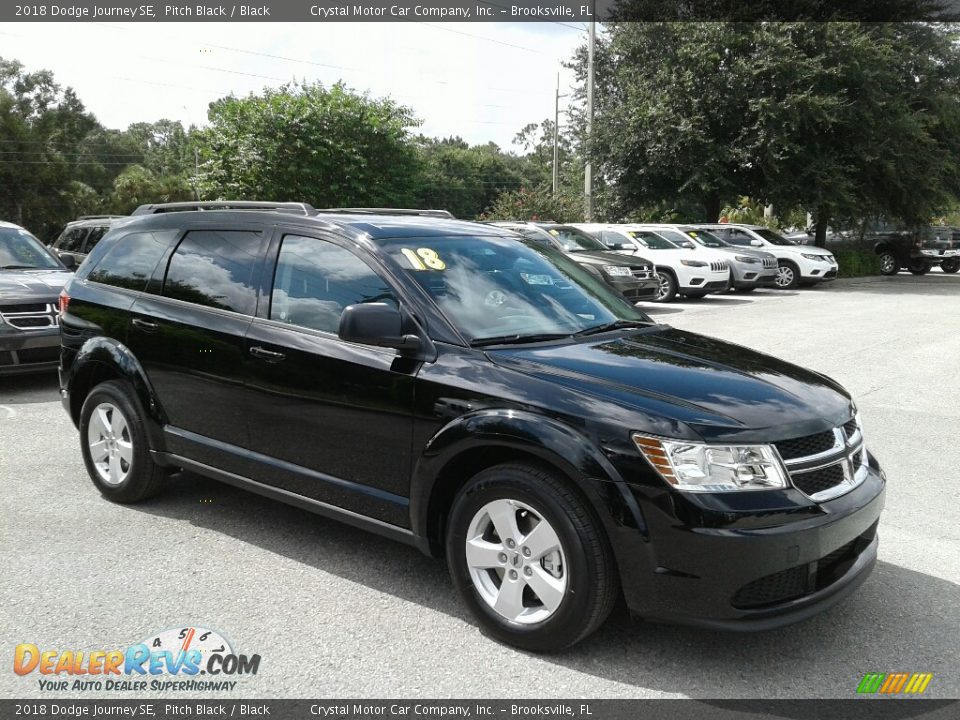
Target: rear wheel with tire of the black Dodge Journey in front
138, 477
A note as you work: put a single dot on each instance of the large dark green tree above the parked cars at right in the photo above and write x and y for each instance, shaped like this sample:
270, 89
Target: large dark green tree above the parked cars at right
840, 119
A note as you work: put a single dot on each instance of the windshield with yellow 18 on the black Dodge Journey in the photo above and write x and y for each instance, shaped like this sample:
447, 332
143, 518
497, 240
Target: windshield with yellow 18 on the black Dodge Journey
493, 288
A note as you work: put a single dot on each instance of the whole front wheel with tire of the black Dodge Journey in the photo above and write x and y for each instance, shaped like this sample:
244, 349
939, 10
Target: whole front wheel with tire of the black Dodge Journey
529, 559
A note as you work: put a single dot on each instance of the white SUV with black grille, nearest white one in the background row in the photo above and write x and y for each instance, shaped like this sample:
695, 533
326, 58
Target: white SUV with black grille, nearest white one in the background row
682, 271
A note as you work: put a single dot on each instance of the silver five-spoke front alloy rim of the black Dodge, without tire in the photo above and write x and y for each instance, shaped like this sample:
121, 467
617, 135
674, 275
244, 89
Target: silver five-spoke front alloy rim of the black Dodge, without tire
516, 561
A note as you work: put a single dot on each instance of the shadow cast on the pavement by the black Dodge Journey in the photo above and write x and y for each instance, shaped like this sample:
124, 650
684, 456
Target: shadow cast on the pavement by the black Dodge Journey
898, 621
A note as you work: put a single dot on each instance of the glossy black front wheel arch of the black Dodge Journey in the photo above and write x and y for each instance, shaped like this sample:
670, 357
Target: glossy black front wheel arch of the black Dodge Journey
554, 442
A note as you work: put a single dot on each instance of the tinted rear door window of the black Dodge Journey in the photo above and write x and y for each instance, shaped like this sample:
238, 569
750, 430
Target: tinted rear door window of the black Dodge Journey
216, 268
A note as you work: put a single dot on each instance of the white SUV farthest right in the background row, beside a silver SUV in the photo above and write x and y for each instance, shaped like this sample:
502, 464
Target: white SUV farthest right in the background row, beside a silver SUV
797, 264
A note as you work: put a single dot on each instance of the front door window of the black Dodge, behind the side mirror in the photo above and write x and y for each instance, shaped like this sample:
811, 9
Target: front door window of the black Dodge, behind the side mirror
315, 280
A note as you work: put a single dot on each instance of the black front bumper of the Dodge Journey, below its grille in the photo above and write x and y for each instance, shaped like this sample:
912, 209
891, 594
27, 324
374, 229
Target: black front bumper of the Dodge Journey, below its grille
724, 574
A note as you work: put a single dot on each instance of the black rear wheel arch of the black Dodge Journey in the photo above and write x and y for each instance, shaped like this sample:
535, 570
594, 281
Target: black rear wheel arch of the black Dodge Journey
101, 356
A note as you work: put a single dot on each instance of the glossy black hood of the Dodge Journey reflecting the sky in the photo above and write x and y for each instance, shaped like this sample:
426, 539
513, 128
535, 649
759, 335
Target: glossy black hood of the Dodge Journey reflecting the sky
717, 388
